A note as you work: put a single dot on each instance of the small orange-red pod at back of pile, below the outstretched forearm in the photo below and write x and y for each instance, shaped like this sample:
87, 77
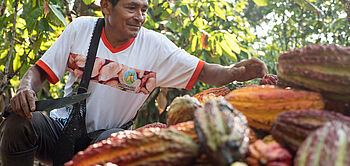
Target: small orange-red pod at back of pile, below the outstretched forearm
212, 92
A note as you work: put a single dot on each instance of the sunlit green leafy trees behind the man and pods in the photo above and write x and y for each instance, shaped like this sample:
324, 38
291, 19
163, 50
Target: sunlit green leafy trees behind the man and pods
216, 31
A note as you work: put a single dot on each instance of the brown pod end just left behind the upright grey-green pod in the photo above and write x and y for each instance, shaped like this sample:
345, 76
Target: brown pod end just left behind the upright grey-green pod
182, 109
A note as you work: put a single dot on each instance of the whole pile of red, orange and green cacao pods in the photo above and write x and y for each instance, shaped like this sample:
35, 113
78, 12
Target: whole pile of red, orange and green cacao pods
300, 121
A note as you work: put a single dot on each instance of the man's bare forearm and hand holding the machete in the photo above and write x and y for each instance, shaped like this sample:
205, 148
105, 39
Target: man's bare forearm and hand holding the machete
23, 103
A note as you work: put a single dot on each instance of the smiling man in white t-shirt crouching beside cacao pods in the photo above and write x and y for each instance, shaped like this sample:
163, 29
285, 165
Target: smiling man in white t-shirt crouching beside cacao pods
131, 61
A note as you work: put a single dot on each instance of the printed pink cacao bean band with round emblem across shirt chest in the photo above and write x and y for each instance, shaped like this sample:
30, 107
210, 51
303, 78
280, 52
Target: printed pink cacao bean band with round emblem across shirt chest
114, 74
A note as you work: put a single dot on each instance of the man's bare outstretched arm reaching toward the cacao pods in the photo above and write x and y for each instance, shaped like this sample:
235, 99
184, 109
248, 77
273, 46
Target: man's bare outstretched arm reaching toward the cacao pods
217, 75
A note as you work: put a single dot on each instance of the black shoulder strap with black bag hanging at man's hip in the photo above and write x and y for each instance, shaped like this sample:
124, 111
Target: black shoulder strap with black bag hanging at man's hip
70, 140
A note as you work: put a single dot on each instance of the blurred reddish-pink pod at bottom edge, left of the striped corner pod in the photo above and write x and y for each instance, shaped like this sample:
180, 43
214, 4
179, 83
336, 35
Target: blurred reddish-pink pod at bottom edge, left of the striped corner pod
261, 154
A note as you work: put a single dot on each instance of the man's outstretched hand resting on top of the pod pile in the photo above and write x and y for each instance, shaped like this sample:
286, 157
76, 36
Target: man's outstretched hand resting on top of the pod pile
249, 69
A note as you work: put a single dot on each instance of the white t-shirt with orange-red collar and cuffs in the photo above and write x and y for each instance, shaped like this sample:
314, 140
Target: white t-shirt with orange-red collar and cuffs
122, 77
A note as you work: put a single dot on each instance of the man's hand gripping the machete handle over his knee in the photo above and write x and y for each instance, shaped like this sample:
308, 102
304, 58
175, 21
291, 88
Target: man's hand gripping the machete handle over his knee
23, 103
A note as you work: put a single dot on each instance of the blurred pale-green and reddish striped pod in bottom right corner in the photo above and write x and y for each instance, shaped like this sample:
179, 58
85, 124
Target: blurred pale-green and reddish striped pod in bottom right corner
326, 146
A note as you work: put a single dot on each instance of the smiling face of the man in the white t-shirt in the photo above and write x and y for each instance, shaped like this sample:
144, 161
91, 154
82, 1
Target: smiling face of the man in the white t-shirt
127, 17
